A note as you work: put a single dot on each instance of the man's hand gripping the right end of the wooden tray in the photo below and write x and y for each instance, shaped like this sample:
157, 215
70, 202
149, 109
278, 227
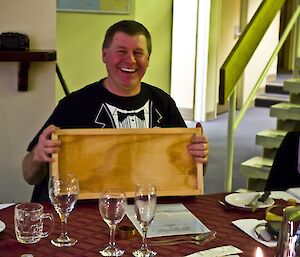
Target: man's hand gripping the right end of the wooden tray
199, 147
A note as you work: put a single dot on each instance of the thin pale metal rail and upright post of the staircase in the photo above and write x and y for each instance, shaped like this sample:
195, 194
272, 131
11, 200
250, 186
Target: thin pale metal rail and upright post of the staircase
232, 123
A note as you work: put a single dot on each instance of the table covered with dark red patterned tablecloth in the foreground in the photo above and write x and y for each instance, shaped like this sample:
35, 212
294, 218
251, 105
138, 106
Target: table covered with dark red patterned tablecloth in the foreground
86, 225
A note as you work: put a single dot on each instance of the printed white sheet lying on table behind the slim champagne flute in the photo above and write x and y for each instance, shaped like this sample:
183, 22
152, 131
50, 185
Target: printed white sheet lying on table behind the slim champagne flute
169, 220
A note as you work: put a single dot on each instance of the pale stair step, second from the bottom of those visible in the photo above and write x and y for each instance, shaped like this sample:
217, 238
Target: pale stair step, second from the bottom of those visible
270, 138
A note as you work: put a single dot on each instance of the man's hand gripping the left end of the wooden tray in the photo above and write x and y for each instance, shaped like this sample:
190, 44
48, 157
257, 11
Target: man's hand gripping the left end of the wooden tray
45, 146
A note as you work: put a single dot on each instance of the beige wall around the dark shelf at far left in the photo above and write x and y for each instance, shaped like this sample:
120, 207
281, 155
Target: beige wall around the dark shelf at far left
23, 113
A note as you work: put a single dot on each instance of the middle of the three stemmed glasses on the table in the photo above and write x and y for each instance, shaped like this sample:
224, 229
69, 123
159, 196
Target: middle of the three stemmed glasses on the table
112, 204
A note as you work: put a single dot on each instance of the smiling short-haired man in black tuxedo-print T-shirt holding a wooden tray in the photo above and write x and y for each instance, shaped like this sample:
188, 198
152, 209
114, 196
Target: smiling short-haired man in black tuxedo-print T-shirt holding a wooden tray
121, 100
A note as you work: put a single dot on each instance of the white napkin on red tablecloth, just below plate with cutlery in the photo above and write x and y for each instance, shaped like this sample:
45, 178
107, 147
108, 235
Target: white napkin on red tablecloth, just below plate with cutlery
248, 226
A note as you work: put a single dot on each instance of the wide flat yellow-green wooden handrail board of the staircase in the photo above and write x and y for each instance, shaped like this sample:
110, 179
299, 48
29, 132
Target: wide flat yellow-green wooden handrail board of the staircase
243, 50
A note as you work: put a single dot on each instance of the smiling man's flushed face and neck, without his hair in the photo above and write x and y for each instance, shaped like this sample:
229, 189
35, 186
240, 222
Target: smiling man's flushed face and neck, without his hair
126, 62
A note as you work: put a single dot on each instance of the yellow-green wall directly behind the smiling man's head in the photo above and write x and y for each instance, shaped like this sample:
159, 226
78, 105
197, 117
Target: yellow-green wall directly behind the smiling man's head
79, 39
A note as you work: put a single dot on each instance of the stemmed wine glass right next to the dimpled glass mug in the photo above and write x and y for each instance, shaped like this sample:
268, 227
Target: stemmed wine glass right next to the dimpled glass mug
63, 193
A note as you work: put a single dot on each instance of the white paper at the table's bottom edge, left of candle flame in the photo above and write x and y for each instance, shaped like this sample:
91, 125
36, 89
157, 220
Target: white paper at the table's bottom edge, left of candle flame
221, 251
